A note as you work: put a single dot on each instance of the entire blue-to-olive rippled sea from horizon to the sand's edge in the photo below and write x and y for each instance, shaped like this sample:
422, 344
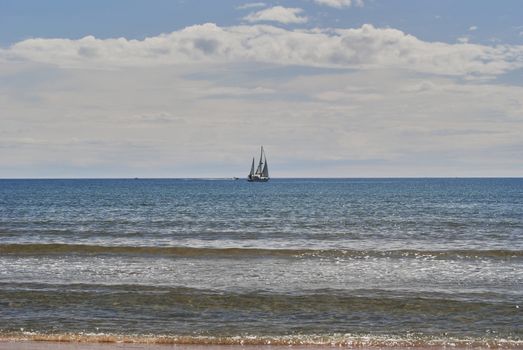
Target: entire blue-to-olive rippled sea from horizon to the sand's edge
335, 262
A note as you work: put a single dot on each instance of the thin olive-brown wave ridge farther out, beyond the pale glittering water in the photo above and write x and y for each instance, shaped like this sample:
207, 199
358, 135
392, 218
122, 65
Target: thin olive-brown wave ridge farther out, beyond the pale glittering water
202, 252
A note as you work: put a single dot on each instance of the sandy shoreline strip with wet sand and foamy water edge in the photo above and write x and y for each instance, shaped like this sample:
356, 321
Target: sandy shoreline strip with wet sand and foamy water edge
39, 341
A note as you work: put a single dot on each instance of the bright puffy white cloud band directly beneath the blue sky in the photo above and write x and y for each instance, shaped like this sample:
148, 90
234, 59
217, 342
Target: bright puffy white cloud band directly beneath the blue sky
364, 48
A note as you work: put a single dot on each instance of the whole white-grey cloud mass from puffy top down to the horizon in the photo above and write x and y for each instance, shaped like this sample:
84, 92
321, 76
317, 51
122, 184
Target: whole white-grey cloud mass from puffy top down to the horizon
193, 102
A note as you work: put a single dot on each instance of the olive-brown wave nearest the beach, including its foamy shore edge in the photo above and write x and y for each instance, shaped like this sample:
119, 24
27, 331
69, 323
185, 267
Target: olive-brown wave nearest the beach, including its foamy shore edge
180, 315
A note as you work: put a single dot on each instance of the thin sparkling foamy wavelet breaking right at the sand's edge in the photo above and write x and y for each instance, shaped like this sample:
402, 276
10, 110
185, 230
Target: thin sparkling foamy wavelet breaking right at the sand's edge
346, 340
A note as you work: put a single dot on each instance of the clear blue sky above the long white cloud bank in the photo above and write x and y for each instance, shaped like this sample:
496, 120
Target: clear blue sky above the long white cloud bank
442, 20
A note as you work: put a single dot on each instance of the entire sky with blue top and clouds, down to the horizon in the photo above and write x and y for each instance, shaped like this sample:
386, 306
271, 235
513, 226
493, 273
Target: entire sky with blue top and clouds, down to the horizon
193, 88
